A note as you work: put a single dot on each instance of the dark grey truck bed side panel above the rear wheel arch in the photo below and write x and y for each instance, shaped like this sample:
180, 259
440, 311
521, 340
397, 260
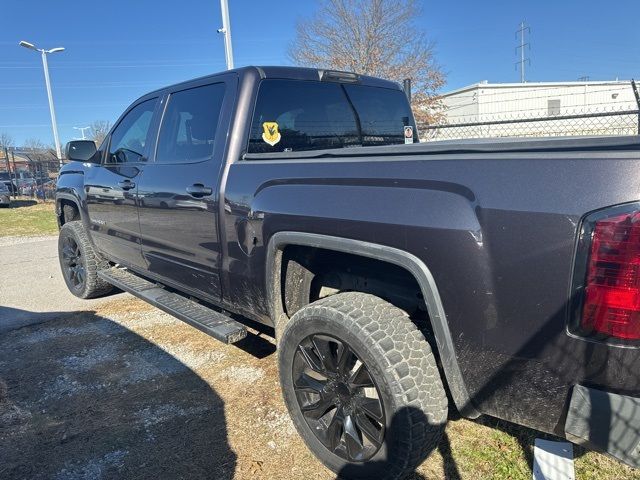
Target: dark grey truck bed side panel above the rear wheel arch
496, 230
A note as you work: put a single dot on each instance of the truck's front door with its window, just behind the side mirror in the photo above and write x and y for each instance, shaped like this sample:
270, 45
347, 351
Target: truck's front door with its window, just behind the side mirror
111, 187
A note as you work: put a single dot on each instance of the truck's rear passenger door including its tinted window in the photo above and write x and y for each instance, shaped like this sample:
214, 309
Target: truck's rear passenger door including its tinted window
178, 191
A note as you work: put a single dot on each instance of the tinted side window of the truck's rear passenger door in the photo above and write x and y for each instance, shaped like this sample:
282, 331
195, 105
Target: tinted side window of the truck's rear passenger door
189, 124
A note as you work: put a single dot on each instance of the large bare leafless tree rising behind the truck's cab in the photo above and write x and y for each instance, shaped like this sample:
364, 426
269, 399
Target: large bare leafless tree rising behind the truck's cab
372, 37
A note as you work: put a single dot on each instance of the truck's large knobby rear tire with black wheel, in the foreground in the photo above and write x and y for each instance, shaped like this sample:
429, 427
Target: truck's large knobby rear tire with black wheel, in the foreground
400, 372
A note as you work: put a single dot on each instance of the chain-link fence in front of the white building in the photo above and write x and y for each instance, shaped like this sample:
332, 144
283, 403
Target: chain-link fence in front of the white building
578, 123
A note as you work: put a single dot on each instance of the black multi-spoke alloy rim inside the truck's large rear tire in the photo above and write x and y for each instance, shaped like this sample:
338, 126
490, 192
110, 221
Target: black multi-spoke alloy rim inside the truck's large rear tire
338, 397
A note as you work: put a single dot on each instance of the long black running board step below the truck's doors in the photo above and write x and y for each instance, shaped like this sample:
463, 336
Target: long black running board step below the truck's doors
210, 321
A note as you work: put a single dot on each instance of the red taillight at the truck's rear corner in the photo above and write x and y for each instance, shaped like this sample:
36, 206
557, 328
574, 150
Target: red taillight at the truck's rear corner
612, 287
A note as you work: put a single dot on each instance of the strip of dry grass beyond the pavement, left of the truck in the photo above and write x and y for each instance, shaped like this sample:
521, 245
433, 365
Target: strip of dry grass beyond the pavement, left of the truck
27, 217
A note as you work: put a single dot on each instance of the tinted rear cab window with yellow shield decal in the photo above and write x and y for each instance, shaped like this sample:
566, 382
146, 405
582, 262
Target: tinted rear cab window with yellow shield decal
293, 115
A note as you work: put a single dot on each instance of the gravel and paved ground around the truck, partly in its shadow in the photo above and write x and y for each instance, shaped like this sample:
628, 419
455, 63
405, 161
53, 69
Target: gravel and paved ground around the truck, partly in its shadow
114, 388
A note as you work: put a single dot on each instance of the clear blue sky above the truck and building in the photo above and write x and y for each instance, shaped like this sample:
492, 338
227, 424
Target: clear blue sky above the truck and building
123, 48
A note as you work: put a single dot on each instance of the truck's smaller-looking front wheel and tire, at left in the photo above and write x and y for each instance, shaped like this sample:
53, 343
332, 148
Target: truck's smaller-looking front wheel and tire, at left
80, 262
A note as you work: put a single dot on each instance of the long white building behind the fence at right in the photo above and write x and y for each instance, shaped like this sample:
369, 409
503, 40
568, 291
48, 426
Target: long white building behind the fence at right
537, 109
